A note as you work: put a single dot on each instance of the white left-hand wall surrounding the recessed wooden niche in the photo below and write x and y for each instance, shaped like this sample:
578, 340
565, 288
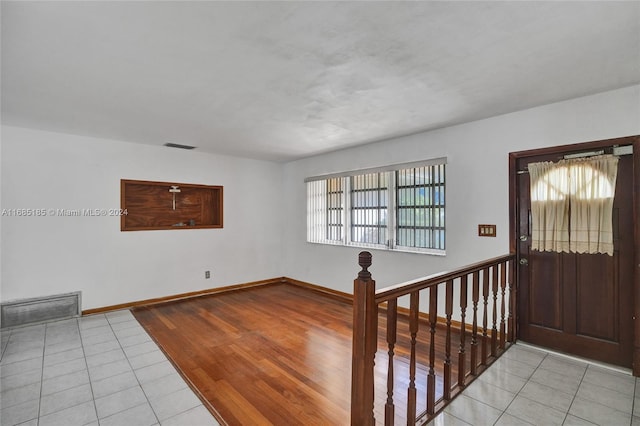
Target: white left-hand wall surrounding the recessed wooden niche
51, 255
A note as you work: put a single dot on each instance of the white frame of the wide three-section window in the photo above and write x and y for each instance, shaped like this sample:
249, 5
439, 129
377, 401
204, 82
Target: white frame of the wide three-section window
317, 209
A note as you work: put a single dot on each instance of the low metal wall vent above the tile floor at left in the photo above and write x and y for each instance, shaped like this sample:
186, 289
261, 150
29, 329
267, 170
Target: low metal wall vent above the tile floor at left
27, 311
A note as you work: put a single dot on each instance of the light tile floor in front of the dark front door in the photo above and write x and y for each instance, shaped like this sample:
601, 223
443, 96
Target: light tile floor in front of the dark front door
529, 386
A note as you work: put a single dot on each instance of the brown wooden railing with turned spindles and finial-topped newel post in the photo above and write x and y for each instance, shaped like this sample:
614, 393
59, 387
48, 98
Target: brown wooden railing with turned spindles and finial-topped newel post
479, 288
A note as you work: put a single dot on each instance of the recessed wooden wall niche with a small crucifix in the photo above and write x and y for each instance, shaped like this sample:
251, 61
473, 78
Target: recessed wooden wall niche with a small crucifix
150, 205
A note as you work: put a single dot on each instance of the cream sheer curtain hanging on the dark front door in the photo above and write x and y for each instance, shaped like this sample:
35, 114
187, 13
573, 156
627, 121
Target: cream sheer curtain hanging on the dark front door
572, 205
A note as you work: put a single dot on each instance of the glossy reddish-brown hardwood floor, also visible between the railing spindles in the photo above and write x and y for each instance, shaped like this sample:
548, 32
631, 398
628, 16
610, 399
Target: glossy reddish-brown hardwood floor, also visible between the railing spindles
279, 354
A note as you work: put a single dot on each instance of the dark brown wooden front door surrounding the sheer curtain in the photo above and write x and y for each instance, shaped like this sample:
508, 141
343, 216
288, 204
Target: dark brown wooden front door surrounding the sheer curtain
581, 304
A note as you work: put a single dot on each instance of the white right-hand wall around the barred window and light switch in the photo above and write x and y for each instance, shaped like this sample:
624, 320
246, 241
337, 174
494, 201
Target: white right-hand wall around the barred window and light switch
477, 184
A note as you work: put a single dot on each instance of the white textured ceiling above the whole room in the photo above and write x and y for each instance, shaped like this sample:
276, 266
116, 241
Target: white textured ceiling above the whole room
285, 80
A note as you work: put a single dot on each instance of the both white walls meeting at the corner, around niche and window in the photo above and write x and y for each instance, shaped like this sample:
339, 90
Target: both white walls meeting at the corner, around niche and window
265, 209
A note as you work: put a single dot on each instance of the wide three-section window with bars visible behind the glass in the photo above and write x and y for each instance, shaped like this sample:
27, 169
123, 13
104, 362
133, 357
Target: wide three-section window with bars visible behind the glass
401, 207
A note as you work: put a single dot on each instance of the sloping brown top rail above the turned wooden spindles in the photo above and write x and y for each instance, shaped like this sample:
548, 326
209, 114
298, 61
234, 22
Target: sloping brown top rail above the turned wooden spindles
407, 287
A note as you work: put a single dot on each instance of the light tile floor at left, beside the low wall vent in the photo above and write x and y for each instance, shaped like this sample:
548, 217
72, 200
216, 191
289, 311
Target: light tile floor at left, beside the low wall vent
96, 370
